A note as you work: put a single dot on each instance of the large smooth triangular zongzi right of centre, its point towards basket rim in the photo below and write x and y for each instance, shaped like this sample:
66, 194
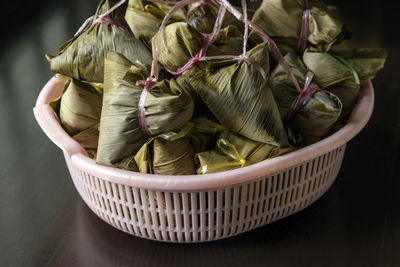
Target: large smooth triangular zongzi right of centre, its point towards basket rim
240, 98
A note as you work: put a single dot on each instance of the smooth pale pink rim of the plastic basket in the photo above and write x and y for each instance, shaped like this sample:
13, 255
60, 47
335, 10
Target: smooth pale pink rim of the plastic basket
74, 152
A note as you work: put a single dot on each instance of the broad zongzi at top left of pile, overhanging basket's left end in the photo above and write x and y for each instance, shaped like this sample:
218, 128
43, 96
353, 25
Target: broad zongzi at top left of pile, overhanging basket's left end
82, 57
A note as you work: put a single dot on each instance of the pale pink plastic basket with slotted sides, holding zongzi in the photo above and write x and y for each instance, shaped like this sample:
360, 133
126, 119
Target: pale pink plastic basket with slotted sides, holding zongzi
198, 208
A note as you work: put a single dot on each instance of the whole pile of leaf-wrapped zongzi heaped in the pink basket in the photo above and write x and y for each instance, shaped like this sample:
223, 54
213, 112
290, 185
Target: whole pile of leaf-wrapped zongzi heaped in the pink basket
183, 87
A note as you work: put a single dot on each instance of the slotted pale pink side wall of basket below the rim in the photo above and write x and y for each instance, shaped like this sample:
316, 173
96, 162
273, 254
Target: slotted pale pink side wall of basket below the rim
199, 216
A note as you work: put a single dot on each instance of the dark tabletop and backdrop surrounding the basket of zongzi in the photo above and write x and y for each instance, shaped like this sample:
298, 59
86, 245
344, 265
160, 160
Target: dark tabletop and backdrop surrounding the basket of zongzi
43, 221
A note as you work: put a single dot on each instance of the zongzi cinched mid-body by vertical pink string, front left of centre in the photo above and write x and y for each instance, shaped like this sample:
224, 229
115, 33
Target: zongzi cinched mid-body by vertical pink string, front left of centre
167, 108
